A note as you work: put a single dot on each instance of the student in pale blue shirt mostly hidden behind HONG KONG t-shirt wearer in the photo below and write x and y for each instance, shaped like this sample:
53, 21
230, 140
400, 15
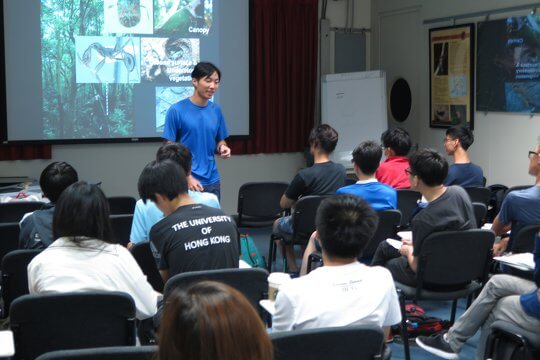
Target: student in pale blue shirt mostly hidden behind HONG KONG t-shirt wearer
147, 214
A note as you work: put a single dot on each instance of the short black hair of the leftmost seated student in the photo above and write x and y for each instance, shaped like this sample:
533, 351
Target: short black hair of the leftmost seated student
55, 178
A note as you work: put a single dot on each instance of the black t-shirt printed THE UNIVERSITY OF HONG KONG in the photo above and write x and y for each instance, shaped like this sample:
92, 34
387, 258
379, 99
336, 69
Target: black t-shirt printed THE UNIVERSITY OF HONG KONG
195, 237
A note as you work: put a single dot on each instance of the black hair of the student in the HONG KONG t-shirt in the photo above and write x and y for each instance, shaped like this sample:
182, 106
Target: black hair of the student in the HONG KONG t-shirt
162, 177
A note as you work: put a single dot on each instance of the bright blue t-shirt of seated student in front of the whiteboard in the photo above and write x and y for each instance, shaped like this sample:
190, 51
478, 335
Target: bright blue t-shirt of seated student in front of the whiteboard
380, 196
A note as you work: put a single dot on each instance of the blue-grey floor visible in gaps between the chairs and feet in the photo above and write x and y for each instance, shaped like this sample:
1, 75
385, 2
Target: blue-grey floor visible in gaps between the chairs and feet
432, 308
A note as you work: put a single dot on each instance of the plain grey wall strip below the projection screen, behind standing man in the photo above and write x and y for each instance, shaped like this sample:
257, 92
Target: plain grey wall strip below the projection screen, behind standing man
118, 167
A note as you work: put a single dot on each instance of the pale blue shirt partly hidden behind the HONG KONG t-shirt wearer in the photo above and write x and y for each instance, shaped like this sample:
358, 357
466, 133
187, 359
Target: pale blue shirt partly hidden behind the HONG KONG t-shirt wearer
147, 215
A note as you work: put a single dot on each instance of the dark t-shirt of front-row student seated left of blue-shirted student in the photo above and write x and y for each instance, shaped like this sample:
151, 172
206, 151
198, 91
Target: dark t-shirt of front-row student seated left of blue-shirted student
319, 179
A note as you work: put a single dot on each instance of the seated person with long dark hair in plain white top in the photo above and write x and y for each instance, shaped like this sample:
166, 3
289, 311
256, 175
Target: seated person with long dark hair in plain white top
85, 257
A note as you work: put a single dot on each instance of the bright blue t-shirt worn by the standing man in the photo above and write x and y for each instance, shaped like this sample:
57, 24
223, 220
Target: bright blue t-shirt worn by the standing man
199, 128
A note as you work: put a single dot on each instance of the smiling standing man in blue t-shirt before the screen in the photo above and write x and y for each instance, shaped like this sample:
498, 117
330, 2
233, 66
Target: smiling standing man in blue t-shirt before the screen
198, 124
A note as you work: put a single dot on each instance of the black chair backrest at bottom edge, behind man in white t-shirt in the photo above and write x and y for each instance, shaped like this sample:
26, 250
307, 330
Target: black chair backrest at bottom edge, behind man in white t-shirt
349, 342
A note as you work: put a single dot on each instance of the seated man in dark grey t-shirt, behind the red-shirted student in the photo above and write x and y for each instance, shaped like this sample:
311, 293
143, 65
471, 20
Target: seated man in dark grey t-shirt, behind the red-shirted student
448, 208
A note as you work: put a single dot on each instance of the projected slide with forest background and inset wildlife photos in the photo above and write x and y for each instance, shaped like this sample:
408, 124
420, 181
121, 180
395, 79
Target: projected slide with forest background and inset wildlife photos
98, 56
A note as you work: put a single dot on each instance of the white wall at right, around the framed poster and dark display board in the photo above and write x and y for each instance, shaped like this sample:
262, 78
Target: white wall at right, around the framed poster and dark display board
502, 139
